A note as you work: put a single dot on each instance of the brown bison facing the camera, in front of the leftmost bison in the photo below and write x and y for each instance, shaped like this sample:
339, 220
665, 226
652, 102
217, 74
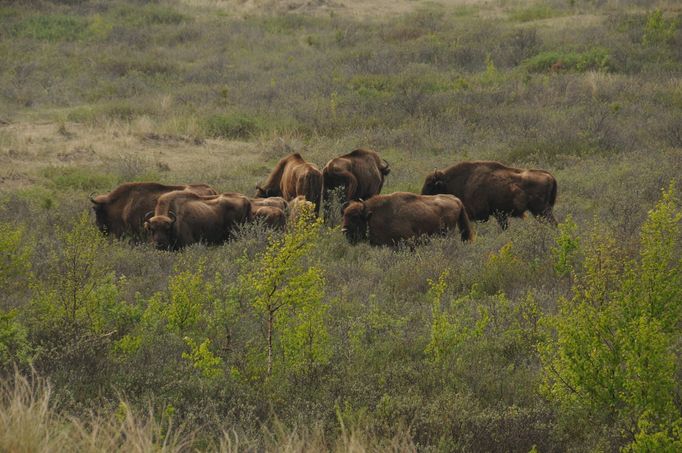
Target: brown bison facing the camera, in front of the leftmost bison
182, 218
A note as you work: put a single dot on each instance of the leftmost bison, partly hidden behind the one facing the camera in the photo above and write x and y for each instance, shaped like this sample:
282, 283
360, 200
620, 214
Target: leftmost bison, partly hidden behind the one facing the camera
121, 212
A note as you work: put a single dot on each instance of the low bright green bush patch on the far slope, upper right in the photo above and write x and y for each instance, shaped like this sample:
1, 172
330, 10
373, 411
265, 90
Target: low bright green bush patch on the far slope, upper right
596, 58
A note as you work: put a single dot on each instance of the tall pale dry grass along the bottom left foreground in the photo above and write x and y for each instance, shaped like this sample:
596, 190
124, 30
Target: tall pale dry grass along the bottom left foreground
29, 422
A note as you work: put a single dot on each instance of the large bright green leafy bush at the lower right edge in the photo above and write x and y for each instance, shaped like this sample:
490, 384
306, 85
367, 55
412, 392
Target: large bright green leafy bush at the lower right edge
613, 358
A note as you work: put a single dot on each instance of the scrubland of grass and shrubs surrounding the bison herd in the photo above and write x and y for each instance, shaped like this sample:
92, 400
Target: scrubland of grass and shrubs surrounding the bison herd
529, 339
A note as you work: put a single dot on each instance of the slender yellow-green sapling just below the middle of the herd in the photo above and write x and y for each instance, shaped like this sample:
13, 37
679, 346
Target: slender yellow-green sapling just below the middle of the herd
287, 295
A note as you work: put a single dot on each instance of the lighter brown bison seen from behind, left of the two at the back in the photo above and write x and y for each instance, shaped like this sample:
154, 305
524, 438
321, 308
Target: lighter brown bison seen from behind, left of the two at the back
291, 177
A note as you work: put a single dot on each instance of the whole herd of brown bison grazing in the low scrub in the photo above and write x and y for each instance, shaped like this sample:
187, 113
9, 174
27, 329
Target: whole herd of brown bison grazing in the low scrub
173, 217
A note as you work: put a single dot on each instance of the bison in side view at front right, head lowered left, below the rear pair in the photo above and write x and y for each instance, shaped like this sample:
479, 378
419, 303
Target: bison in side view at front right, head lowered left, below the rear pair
399, 216
